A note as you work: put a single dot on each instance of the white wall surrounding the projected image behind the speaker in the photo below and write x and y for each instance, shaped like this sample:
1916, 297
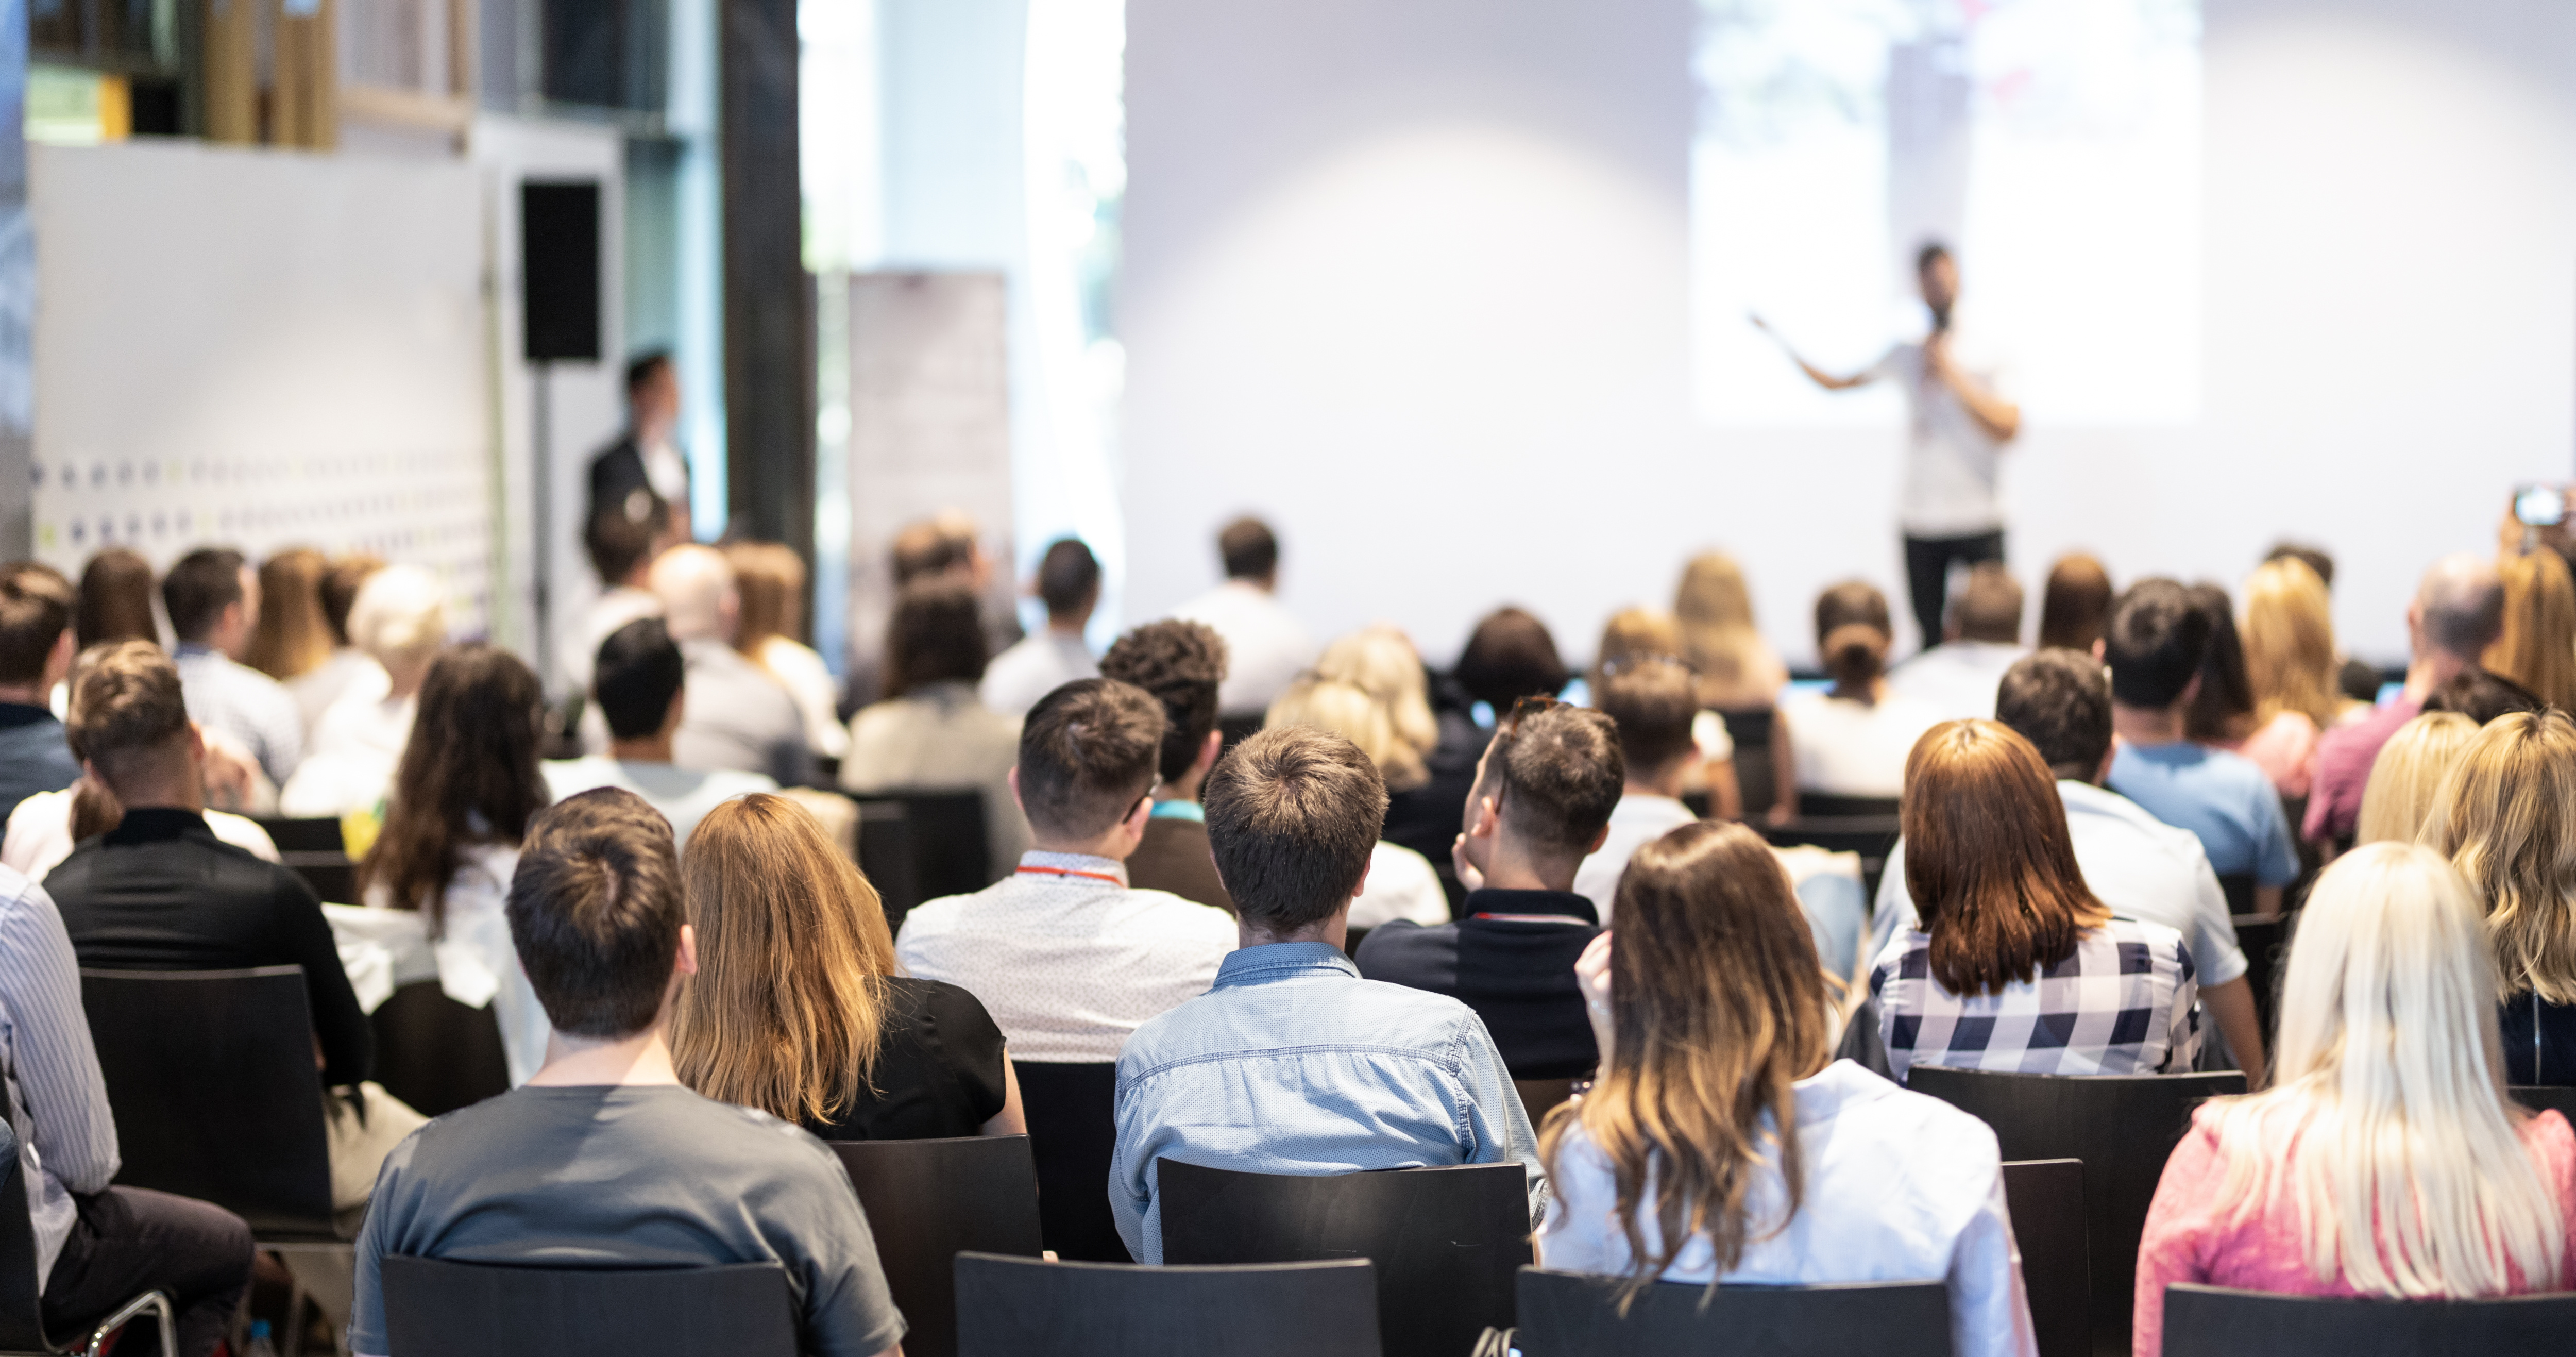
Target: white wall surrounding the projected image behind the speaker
1413, 282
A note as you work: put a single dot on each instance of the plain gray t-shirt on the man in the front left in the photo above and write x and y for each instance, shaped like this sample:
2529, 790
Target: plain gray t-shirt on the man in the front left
630, 1178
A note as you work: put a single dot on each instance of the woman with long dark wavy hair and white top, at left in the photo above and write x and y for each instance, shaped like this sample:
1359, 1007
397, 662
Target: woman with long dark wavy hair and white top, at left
439, 874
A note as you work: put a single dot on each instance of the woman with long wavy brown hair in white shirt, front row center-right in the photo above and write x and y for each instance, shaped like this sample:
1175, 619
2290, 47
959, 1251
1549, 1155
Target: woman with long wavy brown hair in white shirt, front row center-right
1714, 1031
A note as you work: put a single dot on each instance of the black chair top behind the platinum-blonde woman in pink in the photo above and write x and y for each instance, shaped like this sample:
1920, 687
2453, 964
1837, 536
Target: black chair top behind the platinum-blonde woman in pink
2204, 1322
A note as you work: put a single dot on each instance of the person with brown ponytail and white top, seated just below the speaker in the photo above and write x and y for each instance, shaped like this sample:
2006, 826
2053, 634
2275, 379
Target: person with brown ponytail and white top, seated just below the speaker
1853, 738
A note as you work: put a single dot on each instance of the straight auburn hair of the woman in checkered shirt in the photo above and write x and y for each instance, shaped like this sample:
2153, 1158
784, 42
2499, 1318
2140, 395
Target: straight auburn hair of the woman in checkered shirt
1990, 861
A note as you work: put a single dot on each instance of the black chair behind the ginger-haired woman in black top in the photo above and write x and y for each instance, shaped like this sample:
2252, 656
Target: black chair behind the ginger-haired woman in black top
929, 1201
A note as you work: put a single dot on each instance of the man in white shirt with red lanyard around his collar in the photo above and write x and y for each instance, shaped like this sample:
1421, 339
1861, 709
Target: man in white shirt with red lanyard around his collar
1065, 951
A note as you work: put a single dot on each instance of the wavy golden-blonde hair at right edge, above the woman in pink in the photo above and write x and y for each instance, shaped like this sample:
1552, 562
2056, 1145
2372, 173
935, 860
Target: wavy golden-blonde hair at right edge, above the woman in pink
2508, 820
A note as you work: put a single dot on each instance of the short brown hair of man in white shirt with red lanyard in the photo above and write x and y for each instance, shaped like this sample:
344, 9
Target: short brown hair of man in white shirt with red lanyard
1088, 753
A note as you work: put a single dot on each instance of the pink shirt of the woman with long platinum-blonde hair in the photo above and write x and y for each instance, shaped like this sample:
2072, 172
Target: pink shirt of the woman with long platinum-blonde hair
2193, 1242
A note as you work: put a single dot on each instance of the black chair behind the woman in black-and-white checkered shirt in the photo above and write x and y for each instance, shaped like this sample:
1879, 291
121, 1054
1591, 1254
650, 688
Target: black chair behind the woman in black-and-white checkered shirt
2119, 1127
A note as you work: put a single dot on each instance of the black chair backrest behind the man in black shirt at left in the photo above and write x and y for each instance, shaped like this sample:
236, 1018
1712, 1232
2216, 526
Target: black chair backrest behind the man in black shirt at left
215, 1090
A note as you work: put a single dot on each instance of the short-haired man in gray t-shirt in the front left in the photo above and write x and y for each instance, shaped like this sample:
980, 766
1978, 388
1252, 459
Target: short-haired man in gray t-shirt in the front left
622, 1163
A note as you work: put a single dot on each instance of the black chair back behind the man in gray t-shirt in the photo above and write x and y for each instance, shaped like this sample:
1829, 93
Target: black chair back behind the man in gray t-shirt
437, 1307
